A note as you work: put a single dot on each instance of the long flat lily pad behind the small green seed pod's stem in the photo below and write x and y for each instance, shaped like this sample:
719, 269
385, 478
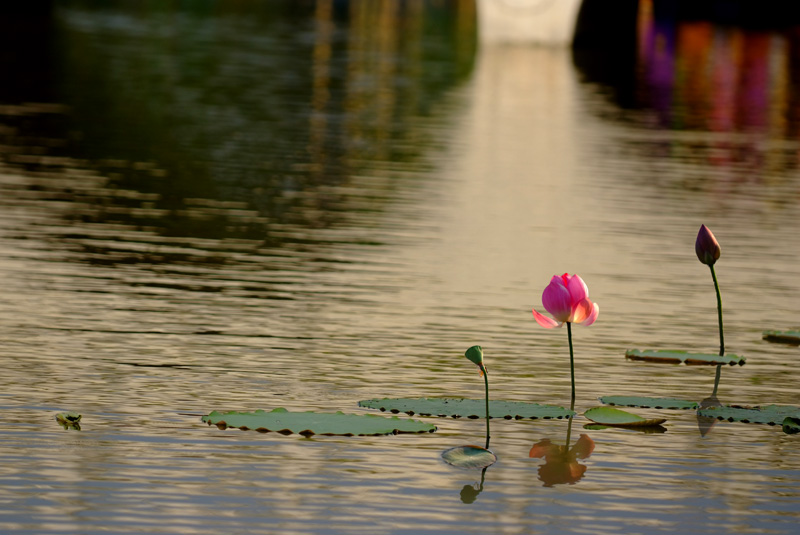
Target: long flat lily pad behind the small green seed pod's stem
469, 408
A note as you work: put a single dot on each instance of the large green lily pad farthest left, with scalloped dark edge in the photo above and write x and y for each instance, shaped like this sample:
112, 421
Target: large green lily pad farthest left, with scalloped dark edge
314, 423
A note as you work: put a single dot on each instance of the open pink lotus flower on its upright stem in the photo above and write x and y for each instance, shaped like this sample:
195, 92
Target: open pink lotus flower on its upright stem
567, 299
